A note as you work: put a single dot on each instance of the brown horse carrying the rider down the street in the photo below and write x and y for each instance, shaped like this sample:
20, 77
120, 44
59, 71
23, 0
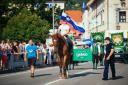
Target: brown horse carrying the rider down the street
64, 54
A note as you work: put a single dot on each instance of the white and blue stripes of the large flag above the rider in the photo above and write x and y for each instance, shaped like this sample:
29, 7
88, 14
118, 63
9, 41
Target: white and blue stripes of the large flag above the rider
64, 16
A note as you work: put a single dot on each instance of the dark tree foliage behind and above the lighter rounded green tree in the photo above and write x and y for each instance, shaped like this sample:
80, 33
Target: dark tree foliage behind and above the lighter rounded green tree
11, 8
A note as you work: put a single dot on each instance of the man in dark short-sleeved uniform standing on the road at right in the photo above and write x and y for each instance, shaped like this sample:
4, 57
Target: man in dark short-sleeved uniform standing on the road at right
109, 59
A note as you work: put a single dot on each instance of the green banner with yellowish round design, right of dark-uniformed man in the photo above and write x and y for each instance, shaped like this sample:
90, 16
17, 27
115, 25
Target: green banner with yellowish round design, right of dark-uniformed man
117, 39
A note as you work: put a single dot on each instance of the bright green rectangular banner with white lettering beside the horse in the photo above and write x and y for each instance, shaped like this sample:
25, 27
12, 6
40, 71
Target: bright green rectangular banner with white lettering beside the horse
80, 54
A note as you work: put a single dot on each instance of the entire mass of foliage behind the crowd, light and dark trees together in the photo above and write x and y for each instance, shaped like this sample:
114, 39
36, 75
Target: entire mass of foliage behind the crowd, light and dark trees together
17, 24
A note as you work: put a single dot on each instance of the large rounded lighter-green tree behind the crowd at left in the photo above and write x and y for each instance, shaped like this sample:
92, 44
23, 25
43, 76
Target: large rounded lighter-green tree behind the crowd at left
26, 25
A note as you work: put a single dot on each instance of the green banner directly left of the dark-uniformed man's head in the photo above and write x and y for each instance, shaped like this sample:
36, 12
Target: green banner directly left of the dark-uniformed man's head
99, 36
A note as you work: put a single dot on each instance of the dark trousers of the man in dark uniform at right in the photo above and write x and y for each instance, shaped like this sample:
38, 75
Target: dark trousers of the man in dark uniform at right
106, 69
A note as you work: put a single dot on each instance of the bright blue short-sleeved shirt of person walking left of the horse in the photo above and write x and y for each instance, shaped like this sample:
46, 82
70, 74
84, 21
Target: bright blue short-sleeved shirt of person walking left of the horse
31, 51
